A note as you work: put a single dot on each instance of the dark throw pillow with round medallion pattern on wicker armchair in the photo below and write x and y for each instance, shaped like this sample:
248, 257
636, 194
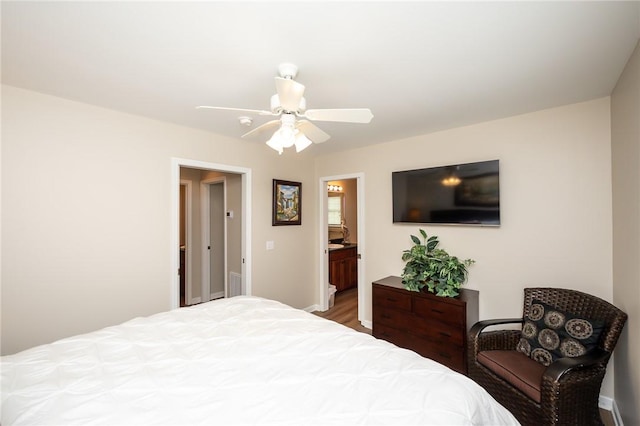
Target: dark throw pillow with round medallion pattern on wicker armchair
549, 333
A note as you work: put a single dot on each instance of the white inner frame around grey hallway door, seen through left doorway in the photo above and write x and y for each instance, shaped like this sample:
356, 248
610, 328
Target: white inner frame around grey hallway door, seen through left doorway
205, 200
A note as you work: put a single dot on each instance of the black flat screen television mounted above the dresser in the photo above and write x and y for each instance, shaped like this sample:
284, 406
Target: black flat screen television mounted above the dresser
467, 194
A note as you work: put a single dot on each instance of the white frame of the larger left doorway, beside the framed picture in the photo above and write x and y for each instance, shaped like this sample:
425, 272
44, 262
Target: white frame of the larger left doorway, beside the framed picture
174, 255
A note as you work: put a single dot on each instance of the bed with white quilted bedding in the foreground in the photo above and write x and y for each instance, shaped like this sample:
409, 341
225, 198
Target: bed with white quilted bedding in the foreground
243, 360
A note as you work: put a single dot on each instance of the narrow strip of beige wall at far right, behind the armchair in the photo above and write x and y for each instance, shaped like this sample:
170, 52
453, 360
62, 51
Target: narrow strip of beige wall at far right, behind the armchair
625, 139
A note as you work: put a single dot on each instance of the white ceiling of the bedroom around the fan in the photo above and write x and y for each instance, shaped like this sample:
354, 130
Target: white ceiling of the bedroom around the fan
419, 66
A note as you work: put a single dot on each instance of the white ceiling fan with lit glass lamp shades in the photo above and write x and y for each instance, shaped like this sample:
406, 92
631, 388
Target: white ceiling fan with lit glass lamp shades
292, 127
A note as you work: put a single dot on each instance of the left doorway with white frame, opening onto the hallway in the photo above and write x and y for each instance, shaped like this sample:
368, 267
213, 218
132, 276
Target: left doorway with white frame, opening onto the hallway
236, 190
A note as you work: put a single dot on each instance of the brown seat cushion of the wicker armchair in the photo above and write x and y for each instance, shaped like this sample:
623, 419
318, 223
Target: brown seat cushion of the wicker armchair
516, 368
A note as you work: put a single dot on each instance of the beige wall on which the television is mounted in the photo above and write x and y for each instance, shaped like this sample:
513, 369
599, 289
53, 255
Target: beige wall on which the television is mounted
555, 178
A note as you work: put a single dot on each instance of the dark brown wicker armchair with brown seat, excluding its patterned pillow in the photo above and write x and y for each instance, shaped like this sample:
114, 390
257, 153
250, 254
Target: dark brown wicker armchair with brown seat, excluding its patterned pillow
566, 391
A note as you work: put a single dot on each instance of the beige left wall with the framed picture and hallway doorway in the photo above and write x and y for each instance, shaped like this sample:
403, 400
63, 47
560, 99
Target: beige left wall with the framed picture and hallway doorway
86, 241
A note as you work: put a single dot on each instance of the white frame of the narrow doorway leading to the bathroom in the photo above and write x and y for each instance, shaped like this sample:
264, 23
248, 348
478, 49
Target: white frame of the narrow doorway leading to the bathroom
324, 242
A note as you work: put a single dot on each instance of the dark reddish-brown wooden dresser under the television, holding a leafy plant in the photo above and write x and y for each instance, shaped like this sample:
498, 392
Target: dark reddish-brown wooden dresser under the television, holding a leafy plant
435, 327
